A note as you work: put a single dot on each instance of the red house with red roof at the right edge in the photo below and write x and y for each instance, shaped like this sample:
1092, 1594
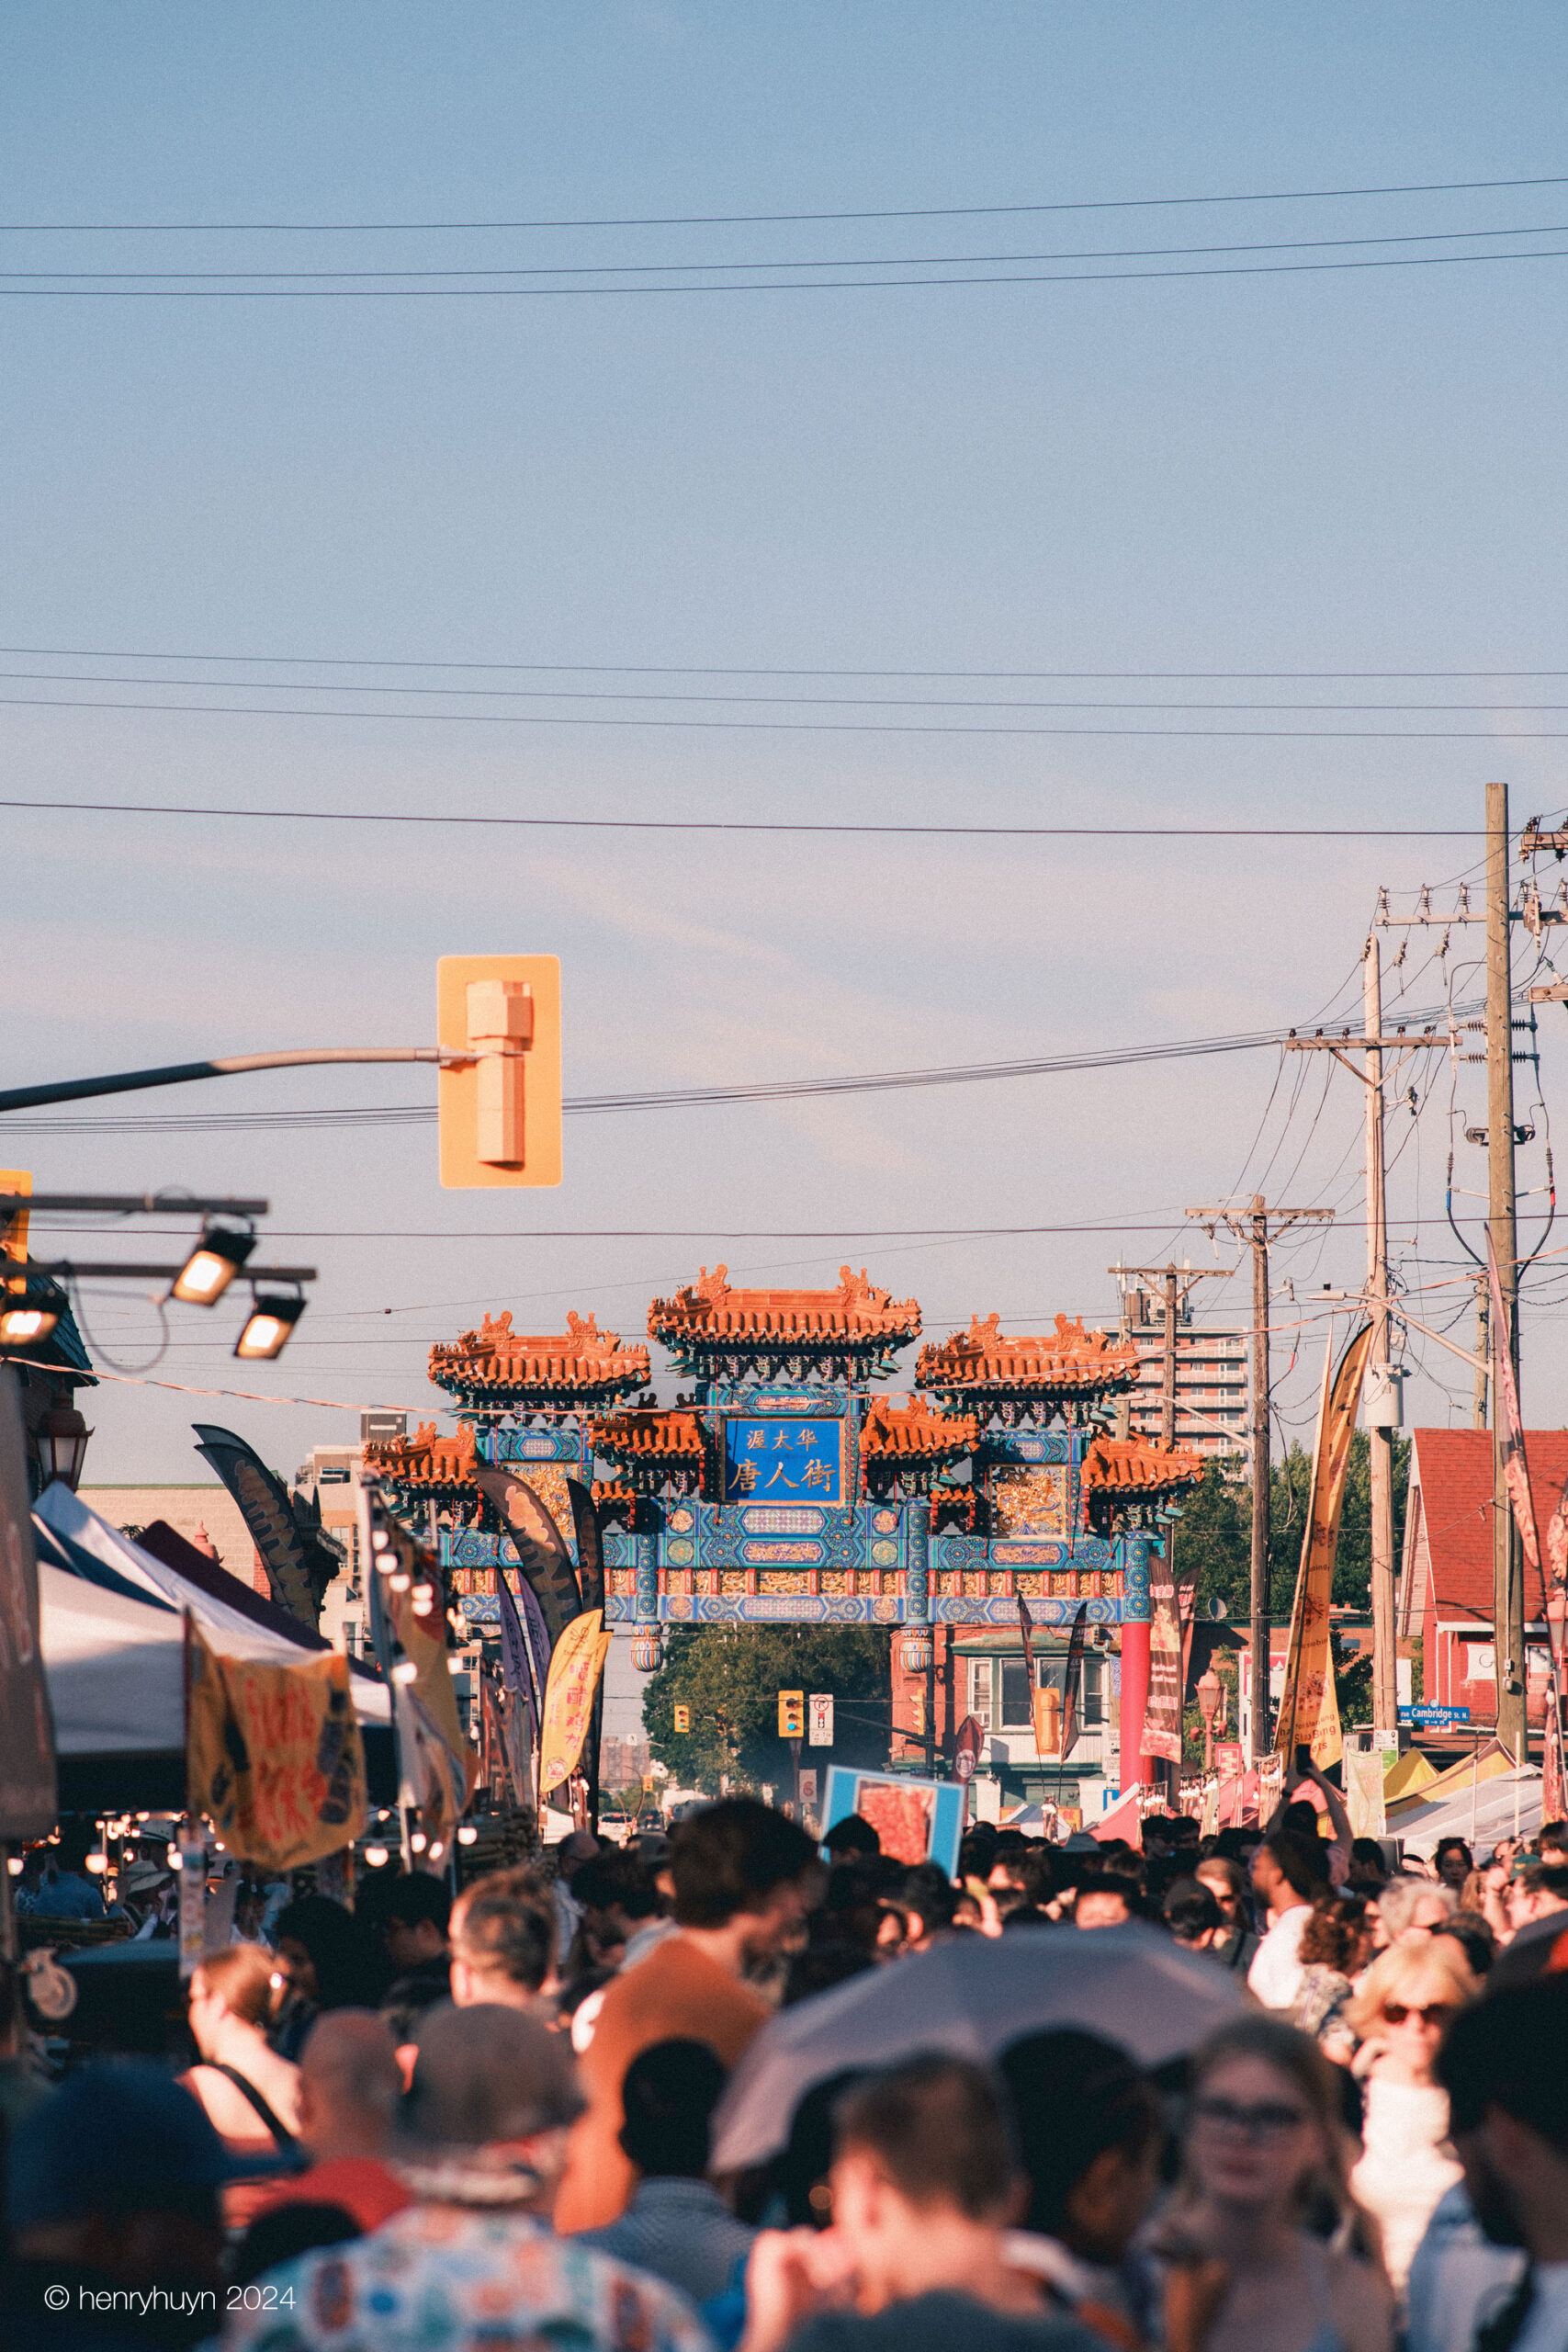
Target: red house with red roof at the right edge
1447, 1572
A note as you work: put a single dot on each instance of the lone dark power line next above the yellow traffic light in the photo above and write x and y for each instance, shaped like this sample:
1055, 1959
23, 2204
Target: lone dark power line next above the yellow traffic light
739, 824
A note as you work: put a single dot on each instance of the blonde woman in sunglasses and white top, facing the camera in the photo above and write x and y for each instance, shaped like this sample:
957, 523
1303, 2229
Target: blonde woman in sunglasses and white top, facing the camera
1402, 2010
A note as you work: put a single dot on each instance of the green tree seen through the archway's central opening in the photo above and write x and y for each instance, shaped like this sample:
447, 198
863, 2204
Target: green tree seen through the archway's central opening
732, 1676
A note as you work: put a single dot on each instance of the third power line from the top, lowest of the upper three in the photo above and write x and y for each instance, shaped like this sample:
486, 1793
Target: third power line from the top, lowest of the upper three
753, 286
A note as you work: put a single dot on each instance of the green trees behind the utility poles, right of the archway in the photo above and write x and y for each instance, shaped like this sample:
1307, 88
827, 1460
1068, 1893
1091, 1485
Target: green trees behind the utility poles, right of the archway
1219, 1525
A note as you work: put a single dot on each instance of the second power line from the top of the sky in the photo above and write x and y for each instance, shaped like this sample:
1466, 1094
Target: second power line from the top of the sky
803, 262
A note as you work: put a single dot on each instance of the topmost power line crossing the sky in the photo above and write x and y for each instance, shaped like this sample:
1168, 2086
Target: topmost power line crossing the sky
756, 220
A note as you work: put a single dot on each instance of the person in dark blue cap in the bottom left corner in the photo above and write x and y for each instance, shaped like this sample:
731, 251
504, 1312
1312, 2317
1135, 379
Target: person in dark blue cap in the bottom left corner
114, 2217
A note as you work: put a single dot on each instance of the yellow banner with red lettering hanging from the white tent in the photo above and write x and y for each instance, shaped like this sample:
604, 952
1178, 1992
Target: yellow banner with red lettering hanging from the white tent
274, 1756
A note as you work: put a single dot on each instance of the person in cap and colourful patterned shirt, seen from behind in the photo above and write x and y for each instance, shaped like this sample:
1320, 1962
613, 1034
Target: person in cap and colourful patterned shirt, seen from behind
474, 2261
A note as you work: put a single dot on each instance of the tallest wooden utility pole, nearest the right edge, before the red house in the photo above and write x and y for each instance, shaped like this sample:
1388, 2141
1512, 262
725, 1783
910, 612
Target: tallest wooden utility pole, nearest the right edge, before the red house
1508, 1568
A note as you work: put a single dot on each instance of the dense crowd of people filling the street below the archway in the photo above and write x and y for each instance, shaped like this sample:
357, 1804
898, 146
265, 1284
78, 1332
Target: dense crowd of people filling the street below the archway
490, 2123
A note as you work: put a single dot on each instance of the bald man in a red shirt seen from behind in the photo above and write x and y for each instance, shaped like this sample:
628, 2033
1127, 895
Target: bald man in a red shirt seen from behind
349, 2090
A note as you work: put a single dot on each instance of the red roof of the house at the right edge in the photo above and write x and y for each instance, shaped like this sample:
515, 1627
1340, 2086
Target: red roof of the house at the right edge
1452, 1521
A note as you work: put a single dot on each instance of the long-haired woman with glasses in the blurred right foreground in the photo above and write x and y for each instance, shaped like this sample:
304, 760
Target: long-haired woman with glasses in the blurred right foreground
1257, 2240
